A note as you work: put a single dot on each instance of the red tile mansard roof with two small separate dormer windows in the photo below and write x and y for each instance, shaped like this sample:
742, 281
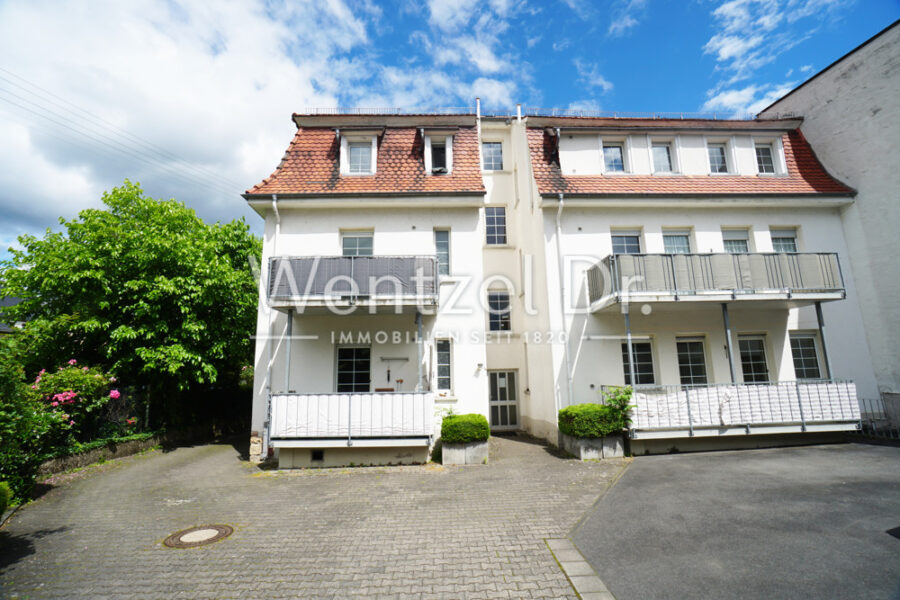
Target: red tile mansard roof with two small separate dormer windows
310, 166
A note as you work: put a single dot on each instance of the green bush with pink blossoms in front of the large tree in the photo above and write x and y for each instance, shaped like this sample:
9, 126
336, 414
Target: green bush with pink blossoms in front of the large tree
75, 396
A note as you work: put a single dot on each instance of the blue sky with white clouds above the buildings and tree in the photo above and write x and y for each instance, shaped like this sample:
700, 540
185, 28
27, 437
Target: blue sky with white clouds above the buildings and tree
194, 101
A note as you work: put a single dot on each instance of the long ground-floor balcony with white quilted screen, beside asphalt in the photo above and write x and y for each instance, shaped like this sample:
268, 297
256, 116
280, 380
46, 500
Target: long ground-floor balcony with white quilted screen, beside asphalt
670, 411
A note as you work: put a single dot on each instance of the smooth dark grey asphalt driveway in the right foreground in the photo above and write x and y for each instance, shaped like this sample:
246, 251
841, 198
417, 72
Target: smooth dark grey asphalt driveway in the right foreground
781, 523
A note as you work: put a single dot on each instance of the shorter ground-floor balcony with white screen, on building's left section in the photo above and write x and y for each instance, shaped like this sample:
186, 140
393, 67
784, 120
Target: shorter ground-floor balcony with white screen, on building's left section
343, 420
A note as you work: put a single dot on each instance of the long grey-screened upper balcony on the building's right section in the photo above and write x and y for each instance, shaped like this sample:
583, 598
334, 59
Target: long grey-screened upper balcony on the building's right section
788, 279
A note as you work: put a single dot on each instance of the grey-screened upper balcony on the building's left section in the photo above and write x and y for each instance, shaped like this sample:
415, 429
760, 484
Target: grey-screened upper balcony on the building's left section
348, 281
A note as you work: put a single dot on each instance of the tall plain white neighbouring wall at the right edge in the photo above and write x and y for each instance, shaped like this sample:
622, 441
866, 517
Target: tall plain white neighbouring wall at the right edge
851, 116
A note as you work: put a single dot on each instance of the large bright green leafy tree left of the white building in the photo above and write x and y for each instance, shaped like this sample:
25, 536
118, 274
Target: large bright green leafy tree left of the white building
144, 288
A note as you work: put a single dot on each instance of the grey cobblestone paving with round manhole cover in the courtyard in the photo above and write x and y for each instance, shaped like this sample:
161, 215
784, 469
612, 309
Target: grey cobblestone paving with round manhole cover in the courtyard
392, 532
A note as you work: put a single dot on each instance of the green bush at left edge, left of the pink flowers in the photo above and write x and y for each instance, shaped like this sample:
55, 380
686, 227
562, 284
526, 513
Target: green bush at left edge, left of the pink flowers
27, 429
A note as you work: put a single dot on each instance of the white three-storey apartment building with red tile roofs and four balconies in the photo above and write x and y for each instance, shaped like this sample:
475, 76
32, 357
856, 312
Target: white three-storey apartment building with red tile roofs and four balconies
417, 264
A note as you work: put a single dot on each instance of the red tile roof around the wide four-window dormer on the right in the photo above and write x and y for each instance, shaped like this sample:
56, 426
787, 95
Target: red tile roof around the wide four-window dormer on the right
805, 176
